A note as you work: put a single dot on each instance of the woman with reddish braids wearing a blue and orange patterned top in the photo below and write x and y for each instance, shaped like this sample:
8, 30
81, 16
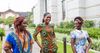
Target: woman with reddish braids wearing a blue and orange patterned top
19, 41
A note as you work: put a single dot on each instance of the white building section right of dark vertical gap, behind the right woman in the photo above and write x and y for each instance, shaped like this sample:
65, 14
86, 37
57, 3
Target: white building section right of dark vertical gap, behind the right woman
88, 9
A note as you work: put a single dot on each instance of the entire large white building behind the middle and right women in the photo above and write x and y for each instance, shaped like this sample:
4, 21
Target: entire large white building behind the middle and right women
88, 9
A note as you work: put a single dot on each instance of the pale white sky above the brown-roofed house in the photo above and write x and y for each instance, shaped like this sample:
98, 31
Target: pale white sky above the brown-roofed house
17, 5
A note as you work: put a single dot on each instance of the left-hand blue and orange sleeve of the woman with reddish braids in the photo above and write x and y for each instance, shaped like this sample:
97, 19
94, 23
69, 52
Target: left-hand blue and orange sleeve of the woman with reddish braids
8, 42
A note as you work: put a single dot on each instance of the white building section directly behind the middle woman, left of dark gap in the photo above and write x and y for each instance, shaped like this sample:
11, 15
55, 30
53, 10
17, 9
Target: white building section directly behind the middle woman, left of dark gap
53, 6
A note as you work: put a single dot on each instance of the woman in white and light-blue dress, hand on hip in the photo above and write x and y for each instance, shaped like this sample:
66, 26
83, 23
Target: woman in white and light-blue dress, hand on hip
79, 38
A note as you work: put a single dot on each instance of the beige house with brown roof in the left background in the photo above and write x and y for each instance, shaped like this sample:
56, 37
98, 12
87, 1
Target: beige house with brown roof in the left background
8, 13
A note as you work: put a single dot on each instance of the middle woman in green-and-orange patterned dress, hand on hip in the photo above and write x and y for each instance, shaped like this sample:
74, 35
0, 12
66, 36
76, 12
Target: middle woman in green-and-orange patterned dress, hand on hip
46, 31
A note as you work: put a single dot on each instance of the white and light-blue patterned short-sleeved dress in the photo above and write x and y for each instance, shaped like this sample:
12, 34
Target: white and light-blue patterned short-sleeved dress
80, 37
